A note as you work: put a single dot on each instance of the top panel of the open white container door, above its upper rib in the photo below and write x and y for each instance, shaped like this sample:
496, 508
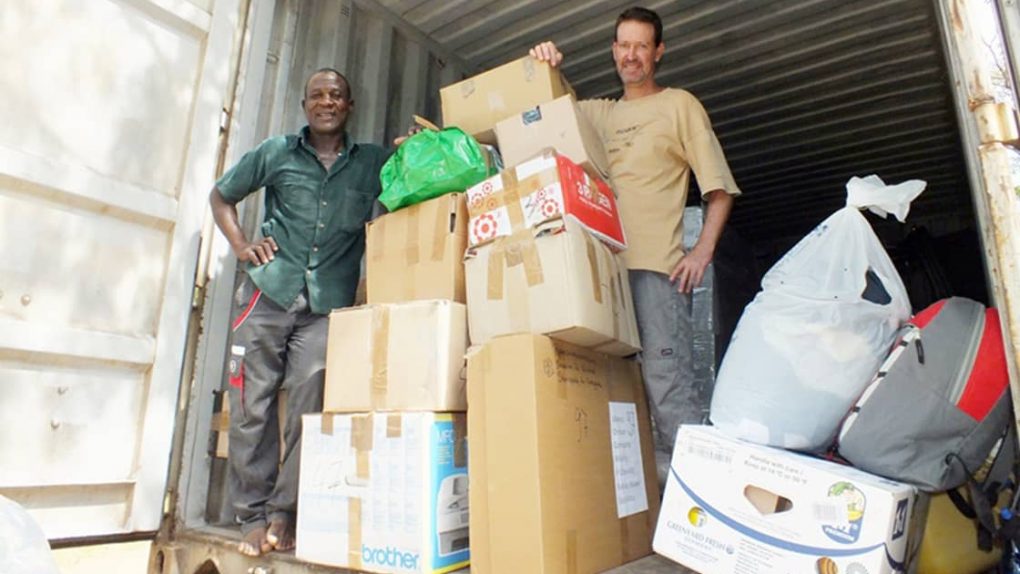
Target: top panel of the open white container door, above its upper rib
90, 99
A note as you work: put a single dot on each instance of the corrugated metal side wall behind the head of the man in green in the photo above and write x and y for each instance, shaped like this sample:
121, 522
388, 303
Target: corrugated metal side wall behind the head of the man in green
394, 71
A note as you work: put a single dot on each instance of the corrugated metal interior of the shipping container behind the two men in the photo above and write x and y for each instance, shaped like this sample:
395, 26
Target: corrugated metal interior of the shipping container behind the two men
803, 94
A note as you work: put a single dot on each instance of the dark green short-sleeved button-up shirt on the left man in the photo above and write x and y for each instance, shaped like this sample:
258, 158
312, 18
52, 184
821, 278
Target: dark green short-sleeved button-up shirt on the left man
317, 218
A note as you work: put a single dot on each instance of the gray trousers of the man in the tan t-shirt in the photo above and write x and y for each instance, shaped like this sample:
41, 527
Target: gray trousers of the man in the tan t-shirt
666, 328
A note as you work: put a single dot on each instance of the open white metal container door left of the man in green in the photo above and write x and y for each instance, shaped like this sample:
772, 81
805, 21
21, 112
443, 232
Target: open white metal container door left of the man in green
109, 140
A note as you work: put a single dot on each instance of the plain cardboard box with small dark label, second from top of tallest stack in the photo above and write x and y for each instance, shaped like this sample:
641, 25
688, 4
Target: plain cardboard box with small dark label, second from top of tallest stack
559, 125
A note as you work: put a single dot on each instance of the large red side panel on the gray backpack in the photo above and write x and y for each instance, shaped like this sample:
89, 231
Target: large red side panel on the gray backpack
989, 379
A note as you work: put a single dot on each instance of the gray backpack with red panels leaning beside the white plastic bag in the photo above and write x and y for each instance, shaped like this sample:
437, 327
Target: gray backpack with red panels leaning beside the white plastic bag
940, 410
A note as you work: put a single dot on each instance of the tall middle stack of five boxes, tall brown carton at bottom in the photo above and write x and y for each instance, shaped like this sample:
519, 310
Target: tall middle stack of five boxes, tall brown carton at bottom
562, 464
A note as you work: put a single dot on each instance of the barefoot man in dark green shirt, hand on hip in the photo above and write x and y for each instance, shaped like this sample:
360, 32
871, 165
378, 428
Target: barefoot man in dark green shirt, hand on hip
320, 192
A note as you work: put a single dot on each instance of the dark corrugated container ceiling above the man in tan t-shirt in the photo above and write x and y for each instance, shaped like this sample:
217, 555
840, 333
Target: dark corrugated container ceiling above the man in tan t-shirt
803, 94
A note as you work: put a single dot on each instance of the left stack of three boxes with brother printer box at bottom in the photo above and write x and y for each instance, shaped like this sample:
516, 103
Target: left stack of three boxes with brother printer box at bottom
384, 471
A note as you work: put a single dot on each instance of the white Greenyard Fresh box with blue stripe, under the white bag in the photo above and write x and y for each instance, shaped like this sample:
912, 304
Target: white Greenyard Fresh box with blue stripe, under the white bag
734, 507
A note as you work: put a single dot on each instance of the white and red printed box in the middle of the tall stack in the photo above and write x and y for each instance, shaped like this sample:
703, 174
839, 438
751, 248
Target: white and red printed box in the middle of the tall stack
547, 187
